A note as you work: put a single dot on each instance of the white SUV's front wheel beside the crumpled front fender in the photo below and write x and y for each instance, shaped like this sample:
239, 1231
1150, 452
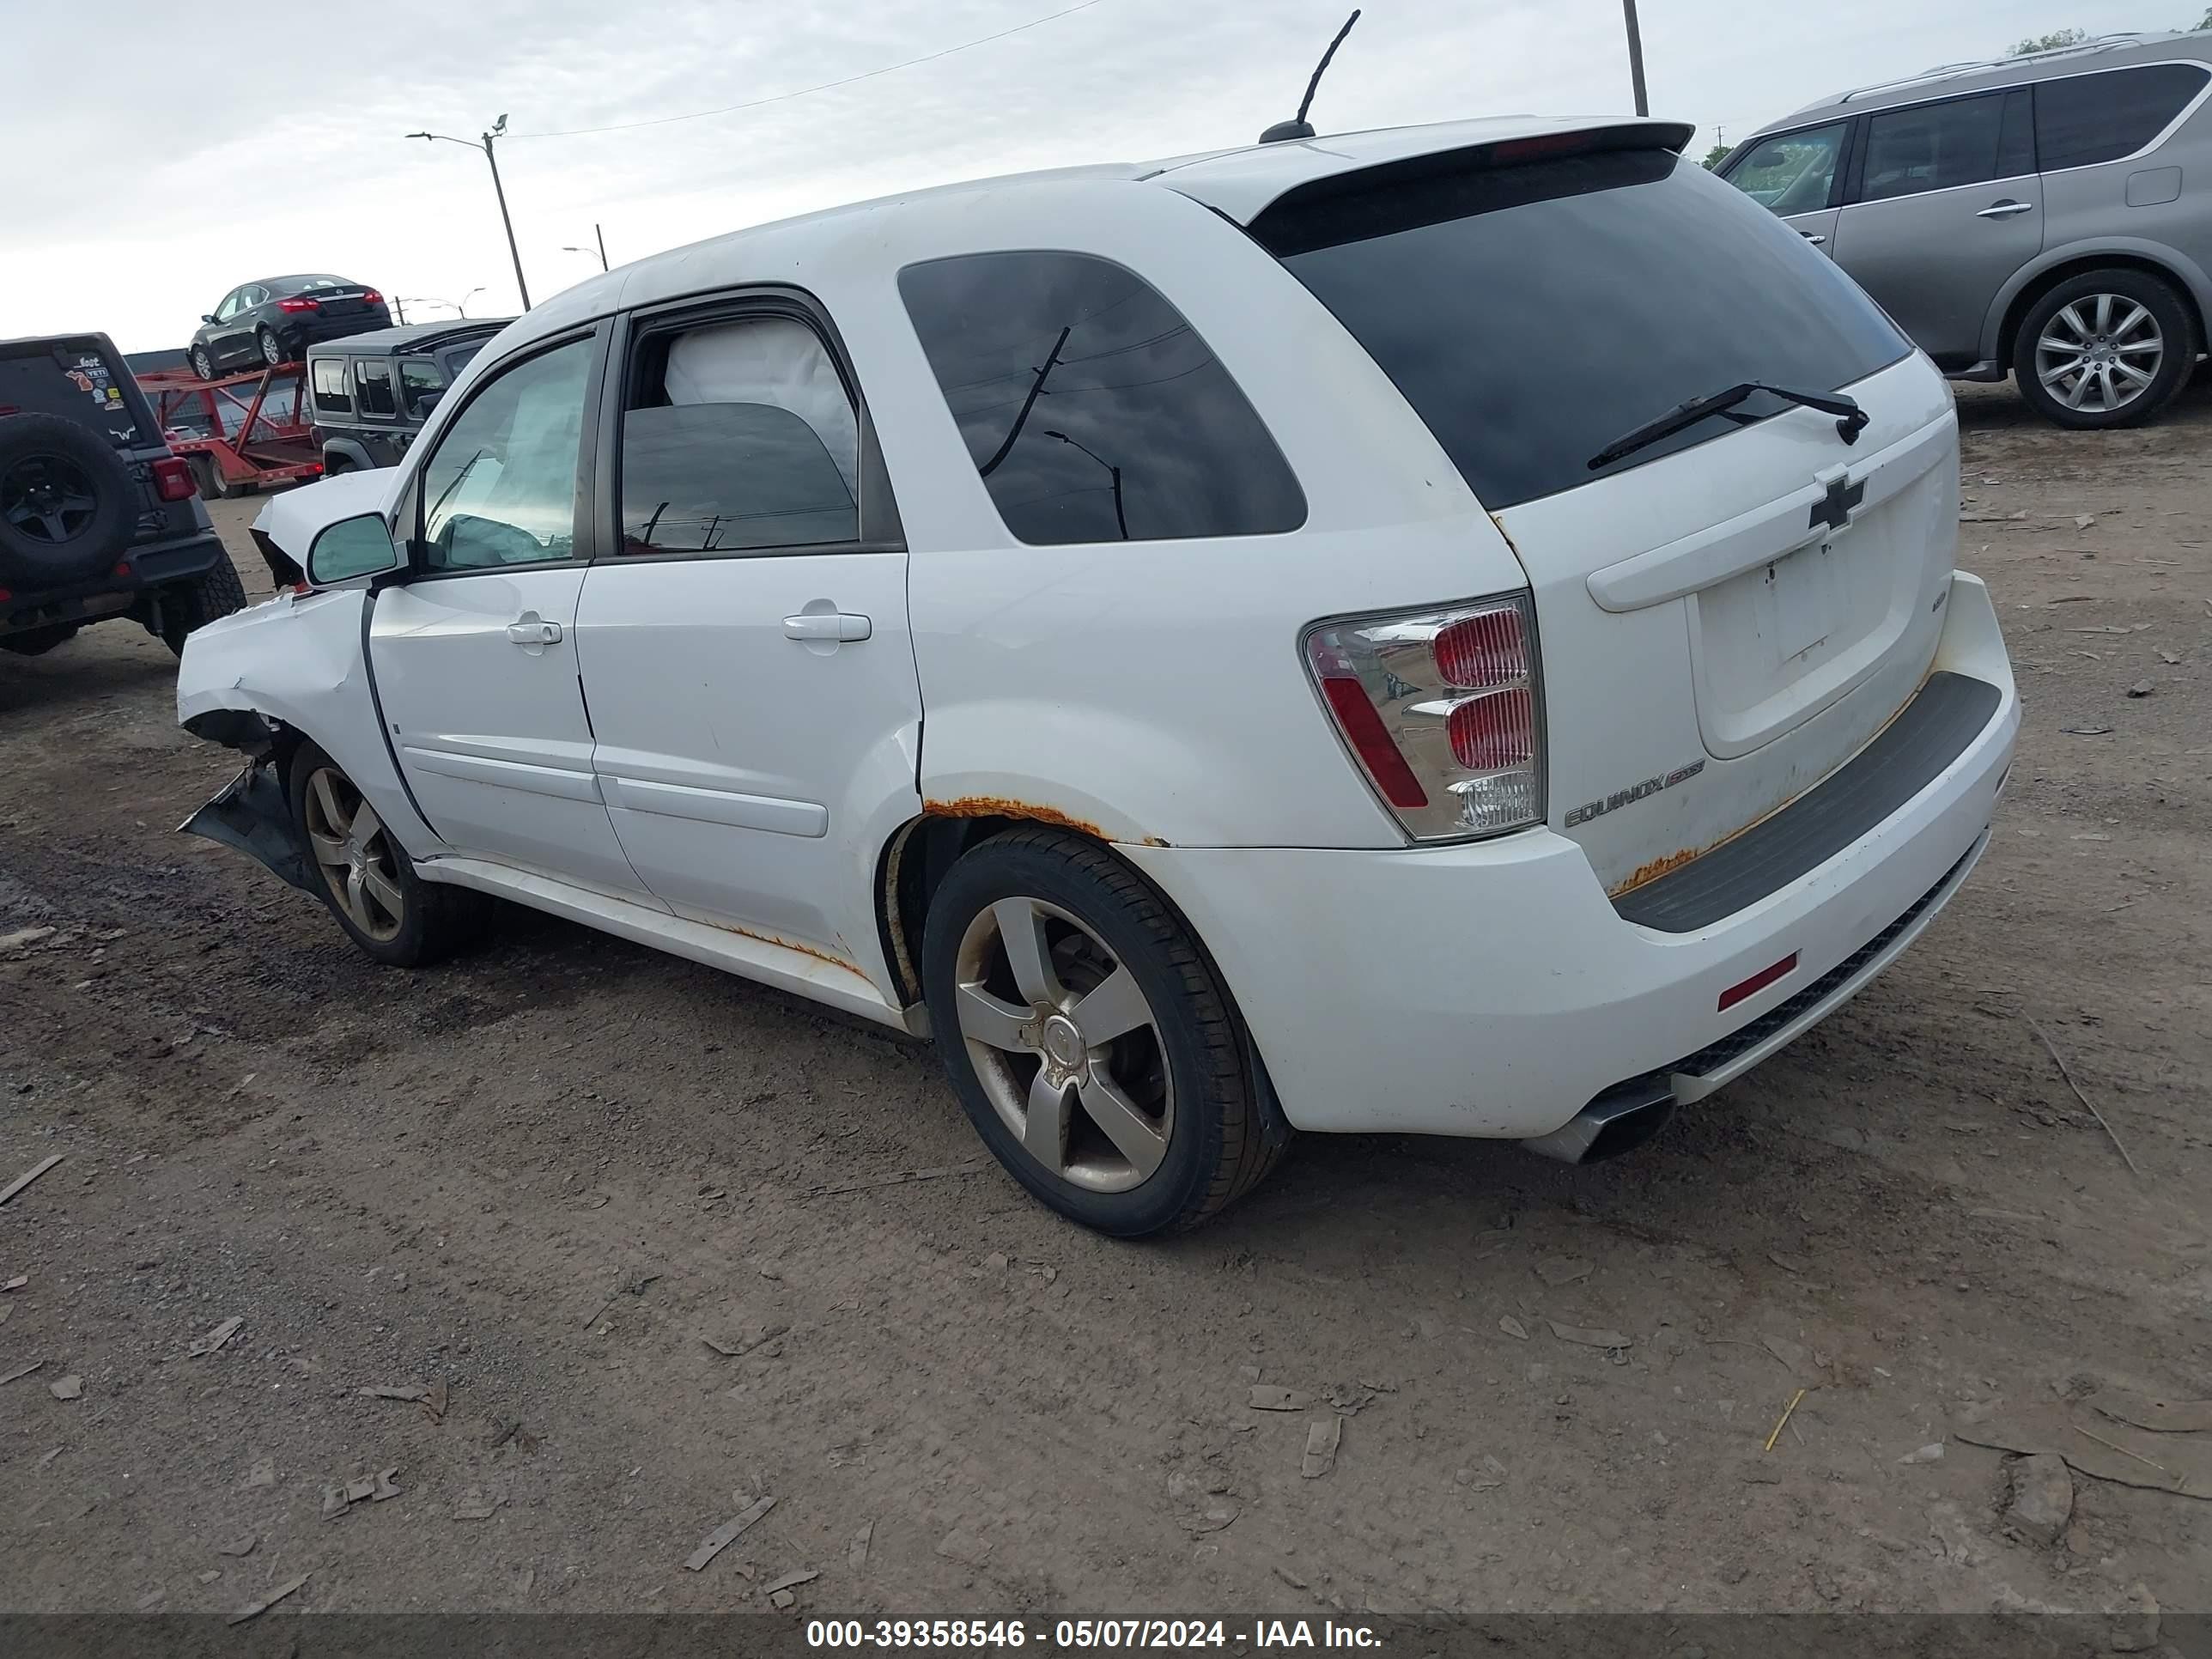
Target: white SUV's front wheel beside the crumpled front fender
368, 879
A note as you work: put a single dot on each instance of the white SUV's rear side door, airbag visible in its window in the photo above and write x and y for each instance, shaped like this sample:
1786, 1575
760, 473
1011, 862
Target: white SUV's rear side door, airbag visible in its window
744, 632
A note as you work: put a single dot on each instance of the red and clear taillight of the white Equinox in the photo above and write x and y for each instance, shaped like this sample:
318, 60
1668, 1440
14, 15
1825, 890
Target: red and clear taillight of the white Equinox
1441, 711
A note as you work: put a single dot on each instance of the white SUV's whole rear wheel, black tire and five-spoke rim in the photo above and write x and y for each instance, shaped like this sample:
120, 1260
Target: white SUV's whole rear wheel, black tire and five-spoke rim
1089, 1039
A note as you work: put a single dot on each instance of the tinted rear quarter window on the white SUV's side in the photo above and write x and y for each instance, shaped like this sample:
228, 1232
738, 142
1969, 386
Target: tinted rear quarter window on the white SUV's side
1092, 408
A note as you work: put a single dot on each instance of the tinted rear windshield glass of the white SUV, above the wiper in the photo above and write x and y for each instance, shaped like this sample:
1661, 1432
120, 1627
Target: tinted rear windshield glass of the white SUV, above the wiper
1536, 313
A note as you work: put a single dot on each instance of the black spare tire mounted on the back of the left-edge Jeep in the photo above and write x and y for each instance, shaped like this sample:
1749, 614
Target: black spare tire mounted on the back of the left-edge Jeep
67, 503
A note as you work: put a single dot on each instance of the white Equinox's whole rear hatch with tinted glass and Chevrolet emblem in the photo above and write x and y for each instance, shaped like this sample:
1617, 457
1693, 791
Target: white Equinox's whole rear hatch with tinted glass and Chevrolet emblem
1731, 612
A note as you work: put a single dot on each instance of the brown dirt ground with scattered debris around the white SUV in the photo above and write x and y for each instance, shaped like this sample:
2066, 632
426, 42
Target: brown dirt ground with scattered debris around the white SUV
539, 1178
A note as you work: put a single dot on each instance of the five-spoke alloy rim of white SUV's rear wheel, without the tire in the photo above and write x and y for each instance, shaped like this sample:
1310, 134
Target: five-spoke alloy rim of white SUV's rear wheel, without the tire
1065, 1043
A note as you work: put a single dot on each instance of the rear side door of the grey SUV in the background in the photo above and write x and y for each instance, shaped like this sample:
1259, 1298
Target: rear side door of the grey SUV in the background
1945, 209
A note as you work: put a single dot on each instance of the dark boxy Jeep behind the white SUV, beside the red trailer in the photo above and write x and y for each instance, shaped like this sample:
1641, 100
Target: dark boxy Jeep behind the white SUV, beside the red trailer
373, 393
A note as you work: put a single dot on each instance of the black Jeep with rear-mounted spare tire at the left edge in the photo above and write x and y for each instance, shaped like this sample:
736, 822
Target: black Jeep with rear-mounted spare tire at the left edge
98, 519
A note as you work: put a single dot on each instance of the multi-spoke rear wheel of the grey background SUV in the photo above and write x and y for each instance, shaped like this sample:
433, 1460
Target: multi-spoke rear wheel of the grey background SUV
2107, 348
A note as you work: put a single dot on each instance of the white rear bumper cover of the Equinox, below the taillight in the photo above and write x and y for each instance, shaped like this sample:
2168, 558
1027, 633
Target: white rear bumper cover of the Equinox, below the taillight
1494, 990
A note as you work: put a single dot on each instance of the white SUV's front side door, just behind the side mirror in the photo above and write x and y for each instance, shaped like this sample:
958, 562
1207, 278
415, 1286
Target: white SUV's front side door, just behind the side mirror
477, 658
